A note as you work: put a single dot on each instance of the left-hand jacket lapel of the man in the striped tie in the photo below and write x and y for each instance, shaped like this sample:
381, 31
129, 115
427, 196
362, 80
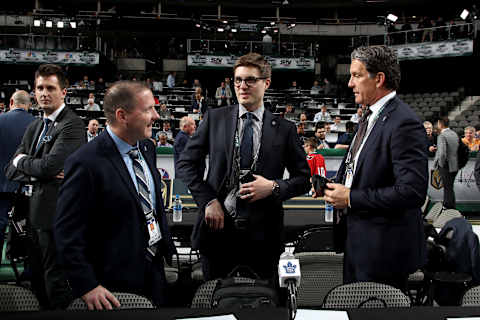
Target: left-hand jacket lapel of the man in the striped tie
110, 151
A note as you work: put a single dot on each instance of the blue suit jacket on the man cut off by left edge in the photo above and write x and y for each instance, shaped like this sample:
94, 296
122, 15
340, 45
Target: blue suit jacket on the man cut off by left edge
12, 127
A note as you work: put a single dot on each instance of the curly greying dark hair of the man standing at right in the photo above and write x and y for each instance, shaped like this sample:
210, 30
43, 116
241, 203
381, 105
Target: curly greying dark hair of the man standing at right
380, 59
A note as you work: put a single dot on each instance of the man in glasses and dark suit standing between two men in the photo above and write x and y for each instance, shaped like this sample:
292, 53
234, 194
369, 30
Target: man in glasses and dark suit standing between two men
240, 202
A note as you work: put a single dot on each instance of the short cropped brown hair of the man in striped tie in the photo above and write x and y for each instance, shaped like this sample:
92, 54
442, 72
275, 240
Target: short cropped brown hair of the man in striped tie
122, 94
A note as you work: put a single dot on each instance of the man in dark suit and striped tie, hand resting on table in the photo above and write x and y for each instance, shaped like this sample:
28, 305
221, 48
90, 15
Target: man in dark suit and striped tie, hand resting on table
111, 230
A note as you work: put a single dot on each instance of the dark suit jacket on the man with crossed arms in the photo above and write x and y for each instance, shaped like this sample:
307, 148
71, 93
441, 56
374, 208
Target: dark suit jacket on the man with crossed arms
67, 135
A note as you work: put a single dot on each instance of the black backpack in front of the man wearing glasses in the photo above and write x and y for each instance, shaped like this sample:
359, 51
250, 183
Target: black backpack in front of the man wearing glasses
238, 292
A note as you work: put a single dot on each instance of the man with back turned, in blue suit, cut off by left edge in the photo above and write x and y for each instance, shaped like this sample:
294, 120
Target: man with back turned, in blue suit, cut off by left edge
12, 128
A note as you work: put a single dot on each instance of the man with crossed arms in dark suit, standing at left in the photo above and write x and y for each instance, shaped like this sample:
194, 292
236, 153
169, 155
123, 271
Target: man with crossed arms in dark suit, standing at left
39, 162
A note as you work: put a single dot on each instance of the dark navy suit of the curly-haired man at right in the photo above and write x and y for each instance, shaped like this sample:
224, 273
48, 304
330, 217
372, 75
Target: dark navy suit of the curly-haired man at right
384, 225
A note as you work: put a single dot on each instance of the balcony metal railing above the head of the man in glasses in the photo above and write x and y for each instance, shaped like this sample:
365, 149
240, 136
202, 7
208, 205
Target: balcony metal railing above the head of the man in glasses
227, 47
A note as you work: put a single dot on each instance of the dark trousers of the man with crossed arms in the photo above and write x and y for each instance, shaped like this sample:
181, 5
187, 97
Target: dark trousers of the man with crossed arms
49, 282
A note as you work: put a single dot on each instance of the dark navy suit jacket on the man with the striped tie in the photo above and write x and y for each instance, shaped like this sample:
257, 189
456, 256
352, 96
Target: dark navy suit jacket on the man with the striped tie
100, 228
